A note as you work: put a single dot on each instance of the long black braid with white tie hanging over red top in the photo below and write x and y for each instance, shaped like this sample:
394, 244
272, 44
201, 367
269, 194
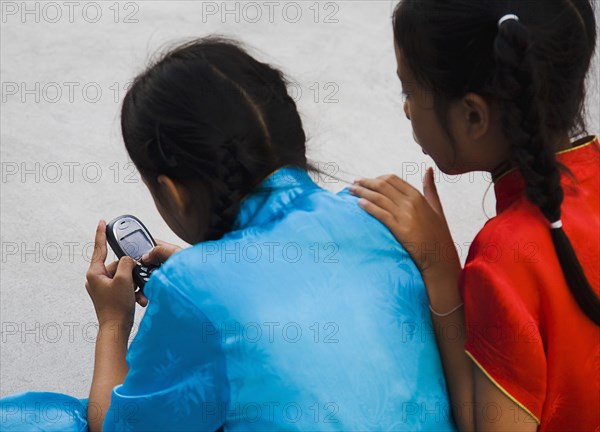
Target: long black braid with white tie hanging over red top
518, 82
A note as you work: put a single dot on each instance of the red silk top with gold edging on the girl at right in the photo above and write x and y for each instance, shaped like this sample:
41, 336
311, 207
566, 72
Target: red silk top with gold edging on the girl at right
524, 329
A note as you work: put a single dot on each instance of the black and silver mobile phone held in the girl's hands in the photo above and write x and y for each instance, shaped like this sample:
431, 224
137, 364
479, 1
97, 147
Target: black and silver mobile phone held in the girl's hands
127, 235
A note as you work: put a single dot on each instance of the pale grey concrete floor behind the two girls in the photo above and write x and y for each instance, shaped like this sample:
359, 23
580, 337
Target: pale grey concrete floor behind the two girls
64, 165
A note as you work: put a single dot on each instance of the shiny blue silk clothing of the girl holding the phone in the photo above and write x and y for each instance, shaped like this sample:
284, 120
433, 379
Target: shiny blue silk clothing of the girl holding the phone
308, 315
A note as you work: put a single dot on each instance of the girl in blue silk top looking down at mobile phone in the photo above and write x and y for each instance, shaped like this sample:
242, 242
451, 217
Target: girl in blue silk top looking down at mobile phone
294, 310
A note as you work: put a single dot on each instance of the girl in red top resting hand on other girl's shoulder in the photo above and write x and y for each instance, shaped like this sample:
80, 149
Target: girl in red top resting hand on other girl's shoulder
499, 86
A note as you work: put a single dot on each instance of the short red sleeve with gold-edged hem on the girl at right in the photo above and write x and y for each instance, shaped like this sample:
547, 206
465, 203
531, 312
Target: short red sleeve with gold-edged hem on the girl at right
502, 285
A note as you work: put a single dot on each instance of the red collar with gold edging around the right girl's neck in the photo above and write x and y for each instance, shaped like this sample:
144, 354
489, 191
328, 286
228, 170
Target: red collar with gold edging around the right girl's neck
509, 186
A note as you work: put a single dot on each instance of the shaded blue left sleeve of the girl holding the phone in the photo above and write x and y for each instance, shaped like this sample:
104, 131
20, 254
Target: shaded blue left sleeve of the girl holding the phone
177, 378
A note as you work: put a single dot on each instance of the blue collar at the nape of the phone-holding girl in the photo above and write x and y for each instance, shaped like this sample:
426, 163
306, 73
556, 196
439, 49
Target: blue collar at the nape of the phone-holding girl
273, 196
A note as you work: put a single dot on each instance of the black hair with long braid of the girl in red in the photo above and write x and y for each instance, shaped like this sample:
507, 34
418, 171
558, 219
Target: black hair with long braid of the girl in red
534, 67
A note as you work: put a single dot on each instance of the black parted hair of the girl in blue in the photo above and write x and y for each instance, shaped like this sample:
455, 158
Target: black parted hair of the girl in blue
208, 111
